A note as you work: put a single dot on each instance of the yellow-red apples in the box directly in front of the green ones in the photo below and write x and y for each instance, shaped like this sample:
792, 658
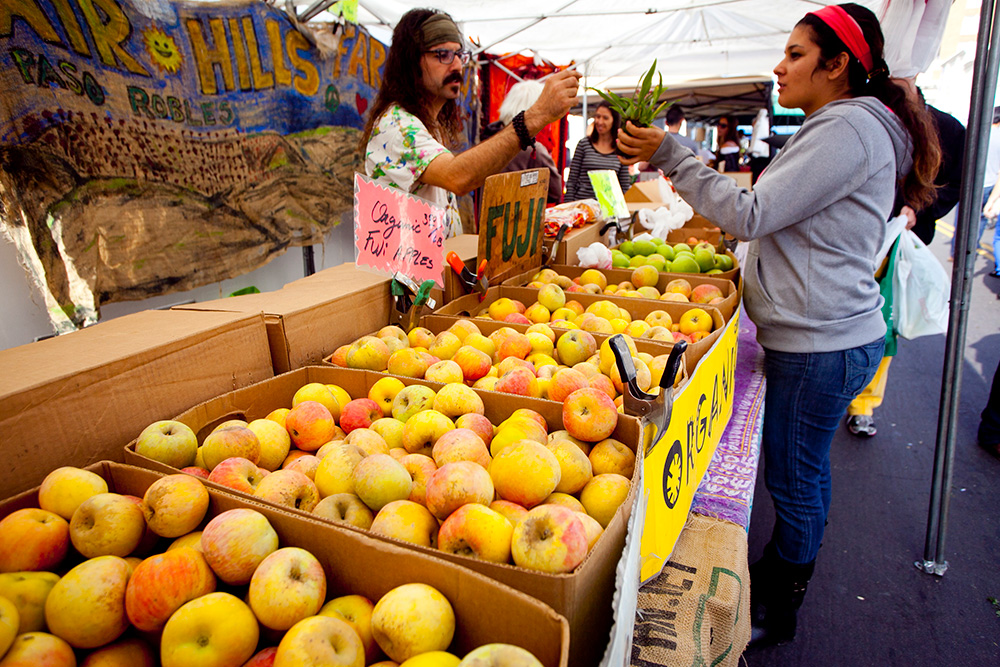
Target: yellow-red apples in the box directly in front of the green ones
643, 285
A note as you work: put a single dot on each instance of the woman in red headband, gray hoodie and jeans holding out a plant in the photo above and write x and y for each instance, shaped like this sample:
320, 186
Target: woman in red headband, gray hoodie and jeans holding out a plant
815, 220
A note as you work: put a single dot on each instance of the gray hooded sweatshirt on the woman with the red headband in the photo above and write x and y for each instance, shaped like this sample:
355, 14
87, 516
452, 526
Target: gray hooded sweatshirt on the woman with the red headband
816, 219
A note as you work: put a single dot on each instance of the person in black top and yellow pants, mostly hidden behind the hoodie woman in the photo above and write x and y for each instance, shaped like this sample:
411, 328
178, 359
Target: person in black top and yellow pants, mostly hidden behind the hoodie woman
951, 137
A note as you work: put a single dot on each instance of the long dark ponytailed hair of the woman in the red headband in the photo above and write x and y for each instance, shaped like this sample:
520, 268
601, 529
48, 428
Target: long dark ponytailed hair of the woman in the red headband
918, 185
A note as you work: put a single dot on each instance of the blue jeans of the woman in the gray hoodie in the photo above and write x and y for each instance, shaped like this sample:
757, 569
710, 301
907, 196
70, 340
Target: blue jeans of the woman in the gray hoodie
807, 395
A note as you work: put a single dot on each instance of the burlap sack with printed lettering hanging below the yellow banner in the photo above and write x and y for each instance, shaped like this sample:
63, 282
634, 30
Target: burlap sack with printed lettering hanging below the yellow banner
697, 612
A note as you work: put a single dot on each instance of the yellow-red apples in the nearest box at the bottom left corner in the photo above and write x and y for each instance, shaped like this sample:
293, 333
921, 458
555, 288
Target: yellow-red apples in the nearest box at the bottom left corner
85, 574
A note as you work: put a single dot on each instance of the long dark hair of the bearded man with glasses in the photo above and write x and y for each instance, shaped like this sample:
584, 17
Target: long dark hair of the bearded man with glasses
402, 84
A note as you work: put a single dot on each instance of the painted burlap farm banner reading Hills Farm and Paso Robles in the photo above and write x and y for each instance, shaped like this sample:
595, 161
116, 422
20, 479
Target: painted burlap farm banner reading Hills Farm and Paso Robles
153, 146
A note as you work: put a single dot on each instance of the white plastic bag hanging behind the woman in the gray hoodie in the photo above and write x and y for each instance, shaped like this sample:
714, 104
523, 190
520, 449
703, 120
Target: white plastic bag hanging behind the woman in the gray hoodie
920, 289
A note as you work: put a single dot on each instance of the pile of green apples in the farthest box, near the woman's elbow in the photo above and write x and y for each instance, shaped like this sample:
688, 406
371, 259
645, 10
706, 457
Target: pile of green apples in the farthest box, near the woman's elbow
694, 256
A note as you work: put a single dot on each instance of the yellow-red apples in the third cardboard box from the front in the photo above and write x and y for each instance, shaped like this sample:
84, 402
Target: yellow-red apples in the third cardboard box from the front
535, 363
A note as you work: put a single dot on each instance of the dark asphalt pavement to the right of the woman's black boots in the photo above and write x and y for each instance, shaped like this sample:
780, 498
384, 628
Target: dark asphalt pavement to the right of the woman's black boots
867, 603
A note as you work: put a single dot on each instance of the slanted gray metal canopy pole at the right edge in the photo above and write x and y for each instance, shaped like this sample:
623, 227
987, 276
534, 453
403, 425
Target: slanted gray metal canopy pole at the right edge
984, 82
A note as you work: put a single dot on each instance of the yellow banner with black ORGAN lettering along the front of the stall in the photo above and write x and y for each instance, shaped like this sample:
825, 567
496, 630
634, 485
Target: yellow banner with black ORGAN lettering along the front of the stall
675, 465
